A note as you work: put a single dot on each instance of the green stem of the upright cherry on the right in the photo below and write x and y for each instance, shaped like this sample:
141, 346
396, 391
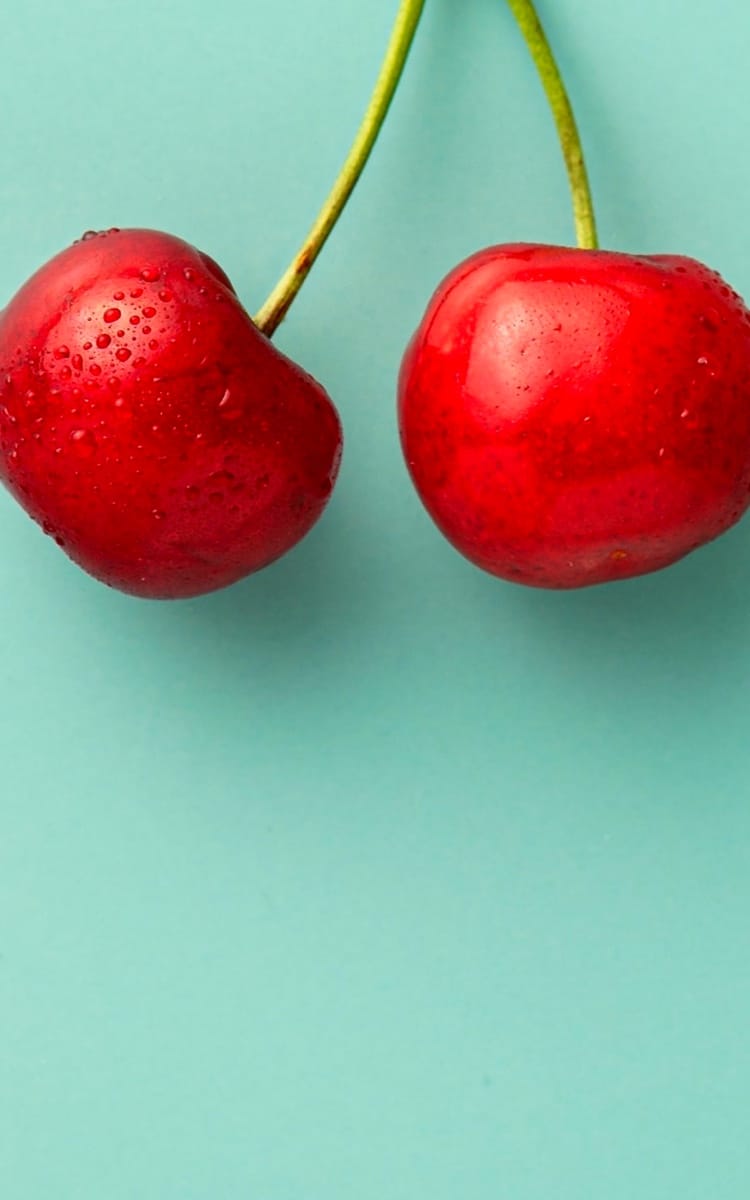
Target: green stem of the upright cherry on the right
530, 25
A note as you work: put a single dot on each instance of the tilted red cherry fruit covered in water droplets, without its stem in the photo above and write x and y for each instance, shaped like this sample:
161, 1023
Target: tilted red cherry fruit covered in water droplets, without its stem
149, 427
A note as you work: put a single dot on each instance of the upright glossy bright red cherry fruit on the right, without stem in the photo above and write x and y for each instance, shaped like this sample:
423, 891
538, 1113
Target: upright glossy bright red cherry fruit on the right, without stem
577, 417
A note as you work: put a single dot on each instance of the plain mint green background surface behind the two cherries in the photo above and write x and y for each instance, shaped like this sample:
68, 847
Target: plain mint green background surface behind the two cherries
373, 877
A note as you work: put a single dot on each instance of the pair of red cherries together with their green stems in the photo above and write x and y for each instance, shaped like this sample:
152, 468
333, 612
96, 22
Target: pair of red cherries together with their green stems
568, 416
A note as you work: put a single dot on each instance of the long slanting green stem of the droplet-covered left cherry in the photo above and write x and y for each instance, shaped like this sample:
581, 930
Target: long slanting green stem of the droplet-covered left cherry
278, 305
